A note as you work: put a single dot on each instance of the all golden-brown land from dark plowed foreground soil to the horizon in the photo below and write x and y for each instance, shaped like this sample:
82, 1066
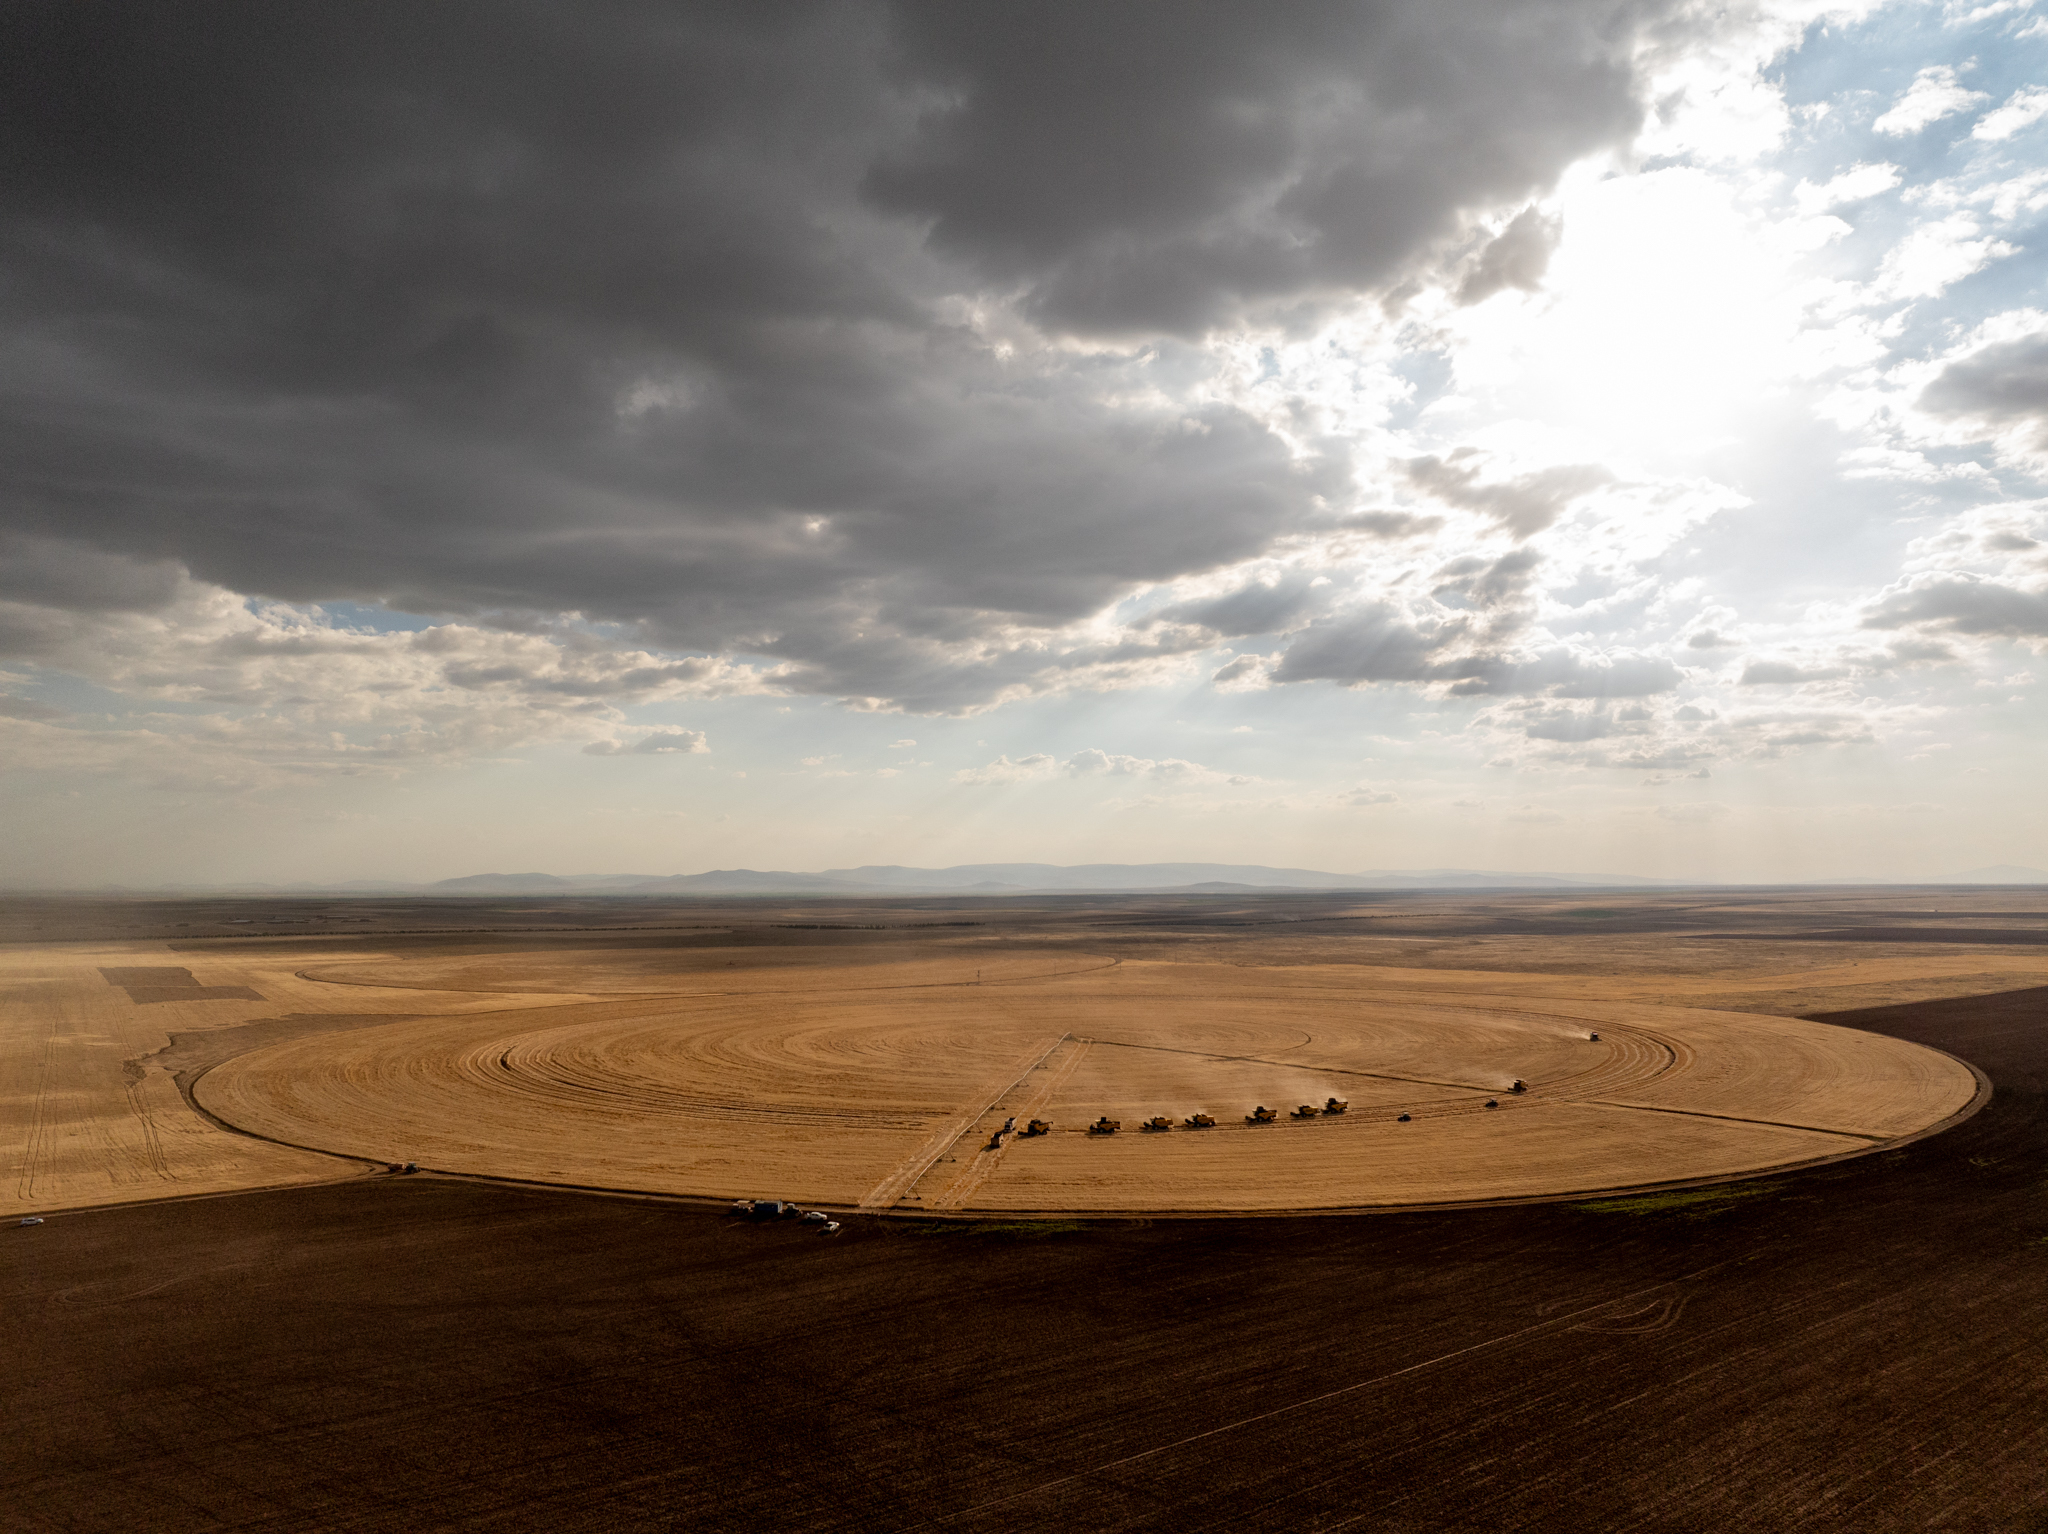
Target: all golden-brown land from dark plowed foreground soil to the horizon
863, 1054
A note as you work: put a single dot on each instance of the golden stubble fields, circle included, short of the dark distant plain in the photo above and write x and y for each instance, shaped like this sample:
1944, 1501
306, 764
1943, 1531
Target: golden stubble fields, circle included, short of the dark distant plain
878, 1078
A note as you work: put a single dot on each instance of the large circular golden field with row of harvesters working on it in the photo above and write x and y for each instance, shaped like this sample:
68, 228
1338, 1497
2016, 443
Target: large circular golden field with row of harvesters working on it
884, 1086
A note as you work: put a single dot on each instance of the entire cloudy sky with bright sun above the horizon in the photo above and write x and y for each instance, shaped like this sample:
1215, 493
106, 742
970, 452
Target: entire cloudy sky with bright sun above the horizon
1553, 435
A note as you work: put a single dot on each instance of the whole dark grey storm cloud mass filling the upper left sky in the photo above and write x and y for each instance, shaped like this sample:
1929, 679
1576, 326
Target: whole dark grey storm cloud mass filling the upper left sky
658, 314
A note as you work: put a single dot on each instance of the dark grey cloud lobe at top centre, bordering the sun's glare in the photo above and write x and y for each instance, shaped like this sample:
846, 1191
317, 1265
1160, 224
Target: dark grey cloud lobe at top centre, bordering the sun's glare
1150, 167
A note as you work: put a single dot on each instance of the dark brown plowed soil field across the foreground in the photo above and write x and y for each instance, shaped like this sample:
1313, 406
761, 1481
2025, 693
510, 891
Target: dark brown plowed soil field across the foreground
1850, 1349
